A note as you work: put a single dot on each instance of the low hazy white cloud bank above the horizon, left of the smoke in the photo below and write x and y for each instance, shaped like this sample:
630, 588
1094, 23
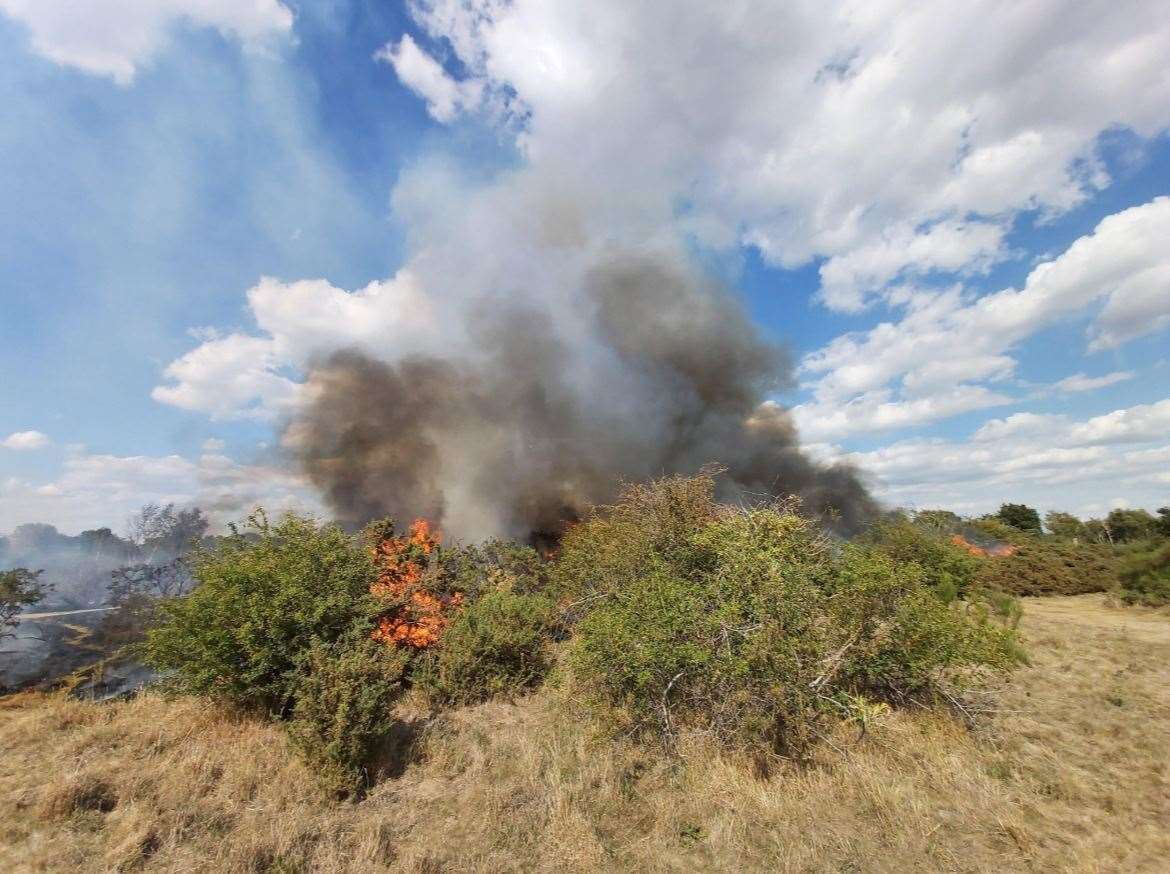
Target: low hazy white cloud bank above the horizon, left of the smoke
97, 491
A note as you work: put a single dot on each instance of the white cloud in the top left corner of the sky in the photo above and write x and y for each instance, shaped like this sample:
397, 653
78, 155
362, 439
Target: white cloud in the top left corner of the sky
115, 38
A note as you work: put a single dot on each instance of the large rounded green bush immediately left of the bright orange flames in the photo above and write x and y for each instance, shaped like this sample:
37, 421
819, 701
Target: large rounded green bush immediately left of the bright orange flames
265, 600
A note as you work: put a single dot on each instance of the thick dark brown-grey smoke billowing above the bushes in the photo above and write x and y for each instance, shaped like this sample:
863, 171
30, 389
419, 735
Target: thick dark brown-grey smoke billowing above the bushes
524, 429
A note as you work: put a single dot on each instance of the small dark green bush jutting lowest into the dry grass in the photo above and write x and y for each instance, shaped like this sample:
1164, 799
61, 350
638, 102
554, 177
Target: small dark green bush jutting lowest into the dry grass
343, 710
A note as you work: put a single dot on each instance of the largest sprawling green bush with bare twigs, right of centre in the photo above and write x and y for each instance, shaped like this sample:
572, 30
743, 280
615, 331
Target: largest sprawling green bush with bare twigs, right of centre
754, 627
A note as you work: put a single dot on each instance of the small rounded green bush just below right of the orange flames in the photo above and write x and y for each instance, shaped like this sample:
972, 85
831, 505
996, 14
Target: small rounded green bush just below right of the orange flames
498, 645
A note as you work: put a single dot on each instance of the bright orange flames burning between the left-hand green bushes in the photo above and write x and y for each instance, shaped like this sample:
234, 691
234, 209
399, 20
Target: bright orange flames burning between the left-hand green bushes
403, 562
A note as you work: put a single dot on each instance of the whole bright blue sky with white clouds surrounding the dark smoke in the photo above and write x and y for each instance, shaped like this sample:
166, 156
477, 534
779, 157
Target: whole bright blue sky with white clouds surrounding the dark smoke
966, 254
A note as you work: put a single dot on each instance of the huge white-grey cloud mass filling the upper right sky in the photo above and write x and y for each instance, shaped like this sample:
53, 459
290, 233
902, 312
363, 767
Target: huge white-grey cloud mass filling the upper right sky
869, 134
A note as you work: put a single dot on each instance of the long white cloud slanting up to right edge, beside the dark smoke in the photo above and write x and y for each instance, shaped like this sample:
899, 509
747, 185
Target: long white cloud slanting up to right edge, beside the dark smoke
947, 339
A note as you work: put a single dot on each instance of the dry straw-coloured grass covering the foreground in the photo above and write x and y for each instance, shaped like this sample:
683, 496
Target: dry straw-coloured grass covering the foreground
1071, 777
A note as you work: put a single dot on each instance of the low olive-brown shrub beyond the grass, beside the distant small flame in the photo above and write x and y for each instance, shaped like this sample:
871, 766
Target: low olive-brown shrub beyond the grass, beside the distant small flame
1048, 567
